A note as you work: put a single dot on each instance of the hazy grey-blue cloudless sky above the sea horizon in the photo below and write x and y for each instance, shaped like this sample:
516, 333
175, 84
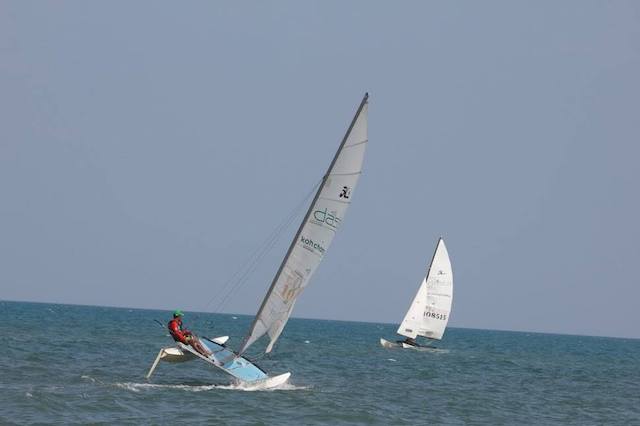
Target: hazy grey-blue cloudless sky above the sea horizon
147, 148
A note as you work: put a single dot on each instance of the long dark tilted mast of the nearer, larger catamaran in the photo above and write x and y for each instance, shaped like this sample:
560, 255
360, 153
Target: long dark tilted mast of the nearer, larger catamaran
245, 343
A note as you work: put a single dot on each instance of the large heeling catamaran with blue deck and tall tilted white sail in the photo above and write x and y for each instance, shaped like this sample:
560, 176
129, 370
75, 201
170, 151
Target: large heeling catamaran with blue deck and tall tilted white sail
308, 247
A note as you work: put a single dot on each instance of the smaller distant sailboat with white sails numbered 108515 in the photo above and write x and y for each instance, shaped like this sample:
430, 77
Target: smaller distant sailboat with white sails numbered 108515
429, 312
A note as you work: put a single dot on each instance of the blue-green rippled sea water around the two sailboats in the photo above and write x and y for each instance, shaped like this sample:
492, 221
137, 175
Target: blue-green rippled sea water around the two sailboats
83, 364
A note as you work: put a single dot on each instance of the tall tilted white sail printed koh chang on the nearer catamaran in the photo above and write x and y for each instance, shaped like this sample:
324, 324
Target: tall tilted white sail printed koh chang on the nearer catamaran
315, 234
